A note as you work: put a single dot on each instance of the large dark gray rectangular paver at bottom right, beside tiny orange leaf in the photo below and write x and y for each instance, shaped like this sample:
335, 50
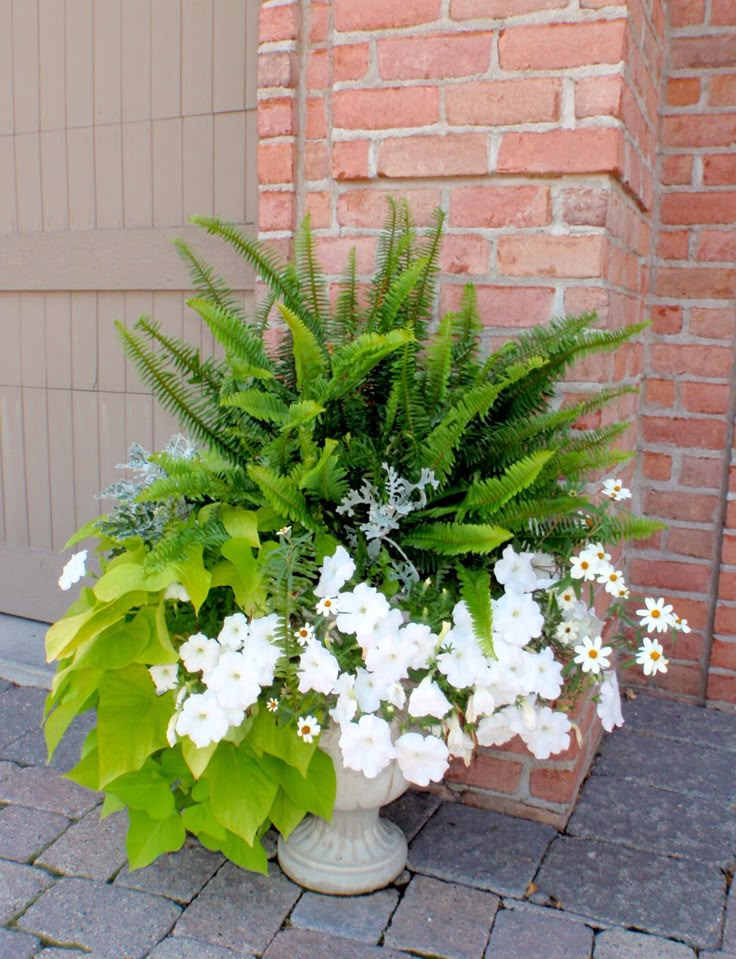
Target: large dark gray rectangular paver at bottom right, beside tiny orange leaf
673, 898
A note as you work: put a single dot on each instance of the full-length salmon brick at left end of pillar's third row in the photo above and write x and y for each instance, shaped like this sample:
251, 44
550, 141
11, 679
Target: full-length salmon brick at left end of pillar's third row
381, 109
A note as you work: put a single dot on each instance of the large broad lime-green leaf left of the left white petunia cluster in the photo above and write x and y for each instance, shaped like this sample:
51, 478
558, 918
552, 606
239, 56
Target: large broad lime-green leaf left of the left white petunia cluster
131, 721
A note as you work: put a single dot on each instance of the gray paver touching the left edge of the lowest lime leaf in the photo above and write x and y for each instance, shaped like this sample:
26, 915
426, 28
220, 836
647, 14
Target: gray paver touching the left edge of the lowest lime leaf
91, 848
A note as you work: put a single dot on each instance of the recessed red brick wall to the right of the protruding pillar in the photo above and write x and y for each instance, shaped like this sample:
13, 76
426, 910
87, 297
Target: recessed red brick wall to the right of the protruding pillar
688, 402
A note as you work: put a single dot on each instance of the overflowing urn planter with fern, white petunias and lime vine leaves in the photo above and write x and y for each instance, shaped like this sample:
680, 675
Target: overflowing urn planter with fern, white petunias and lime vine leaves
375, 539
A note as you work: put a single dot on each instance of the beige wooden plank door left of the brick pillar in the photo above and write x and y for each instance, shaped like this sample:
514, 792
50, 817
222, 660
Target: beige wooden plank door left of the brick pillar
119, 119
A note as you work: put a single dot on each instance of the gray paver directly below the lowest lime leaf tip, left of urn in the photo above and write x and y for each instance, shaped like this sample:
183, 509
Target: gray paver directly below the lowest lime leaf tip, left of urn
179, 875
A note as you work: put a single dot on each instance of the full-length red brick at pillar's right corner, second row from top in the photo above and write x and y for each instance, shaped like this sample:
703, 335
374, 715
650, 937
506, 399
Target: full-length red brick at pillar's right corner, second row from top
558, 46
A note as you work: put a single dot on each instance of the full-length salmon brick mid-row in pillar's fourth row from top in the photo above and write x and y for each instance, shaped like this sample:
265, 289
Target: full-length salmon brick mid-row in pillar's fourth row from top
434, 156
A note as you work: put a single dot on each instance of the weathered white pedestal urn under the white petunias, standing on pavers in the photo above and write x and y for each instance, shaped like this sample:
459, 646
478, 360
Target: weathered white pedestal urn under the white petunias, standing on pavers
356, 851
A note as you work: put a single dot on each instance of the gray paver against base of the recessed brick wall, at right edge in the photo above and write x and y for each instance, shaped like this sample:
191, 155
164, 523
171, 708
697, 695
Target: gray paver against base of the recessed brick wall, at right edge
667, 720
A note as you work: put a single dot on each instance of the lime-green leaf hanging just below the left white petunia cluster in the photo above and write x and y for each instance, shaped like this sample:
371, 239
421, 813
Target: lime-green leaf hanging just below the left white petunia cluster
241, 793
